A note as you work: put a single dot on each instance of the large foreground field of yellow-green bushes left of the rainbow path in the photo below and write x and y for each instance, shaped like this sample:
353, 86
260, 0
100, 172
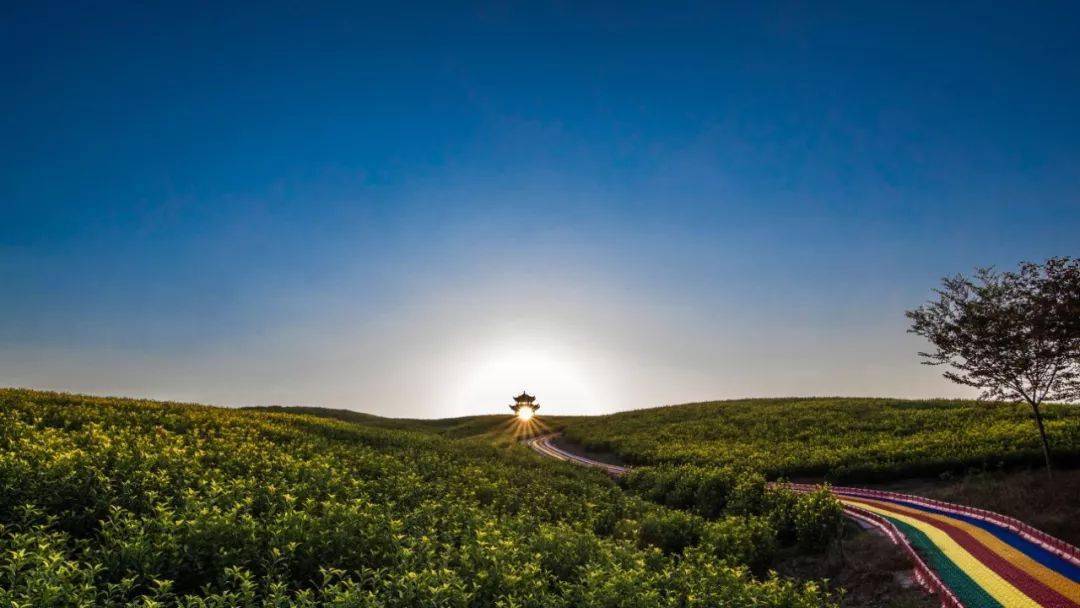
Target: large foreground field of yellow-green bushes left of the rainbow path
119, 503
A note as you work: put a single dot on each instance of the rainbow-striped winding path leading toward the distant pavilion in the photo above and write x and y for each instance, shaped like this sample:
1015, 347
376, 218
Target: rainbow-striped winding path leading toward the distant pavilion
969, 558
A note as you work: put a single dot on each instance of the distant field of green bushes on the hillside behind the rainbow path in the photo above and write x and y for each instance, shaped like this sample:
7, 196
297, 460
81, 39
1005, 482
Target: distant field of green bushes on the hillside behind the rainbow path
842, 440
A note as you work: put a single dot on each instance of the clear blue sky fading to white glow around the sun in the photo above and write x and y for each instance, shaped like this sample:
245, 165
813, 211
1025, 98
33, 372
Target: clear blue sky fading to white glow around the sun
422, 210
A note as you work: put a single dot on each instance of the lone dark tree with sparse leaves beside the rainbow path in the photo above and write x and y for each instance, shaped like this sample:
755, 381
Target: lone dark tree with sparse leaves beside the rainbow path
1015, 336
